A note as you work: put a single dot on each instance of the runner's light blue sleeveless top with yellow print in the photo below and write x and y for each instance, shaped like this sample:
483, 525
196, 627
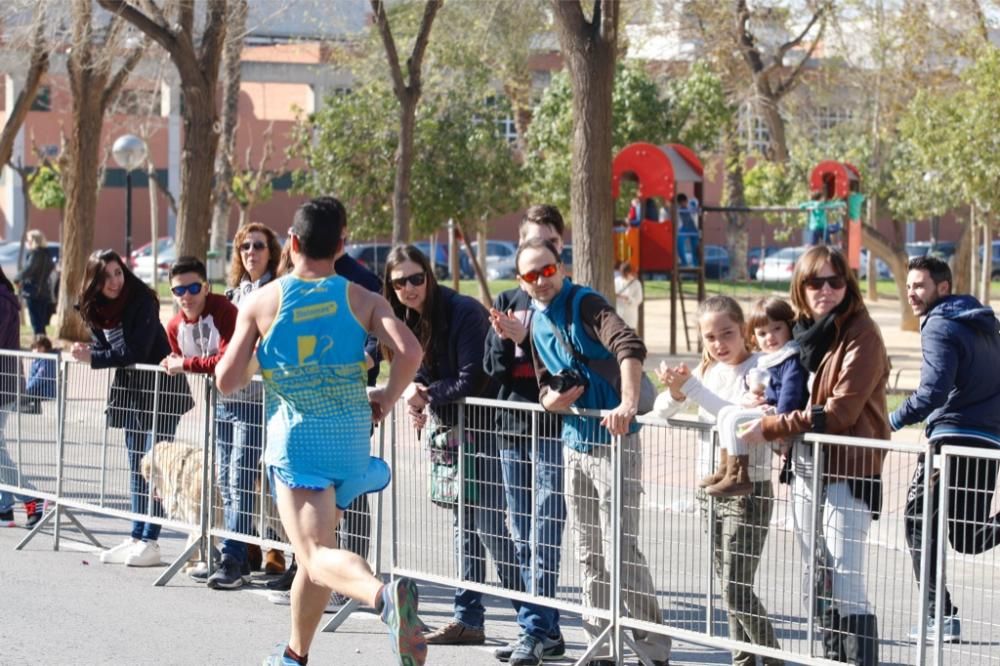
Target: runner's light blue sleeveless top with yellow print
312, 361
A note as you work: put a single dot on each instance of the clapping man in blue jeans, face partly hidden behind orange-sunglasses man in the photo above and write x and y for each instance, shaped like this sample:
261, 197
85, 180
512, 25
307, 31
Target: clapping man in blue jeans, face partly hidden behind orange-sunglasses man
528, 465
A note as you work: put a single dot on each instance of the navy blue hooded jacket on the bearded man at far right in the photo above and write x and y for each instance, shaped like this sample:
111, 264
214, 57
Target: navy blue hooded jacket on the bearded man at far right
959, 392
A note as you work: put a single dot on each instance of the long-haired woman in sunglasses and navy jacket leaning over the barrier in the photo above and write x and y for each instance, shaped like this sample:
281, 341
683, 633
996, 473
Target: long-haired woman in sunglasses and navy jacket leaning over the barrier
452, 331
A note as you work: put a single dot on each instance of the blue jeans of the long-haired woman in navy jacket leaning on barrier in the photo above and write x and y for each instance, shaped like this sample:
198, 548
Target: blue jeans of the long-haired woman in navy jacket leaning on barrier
485, 529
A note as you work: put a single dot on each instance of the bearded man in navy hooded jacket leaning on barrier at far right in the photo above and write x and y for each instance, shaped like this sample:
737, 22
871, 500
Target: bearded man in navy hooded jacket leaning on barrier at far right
959, 399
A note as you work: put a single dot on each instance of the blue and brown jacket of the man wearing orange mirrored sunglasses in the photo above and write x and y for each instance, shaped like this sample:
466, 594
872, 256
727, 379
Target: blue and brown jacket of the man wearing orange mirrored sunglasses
582, 433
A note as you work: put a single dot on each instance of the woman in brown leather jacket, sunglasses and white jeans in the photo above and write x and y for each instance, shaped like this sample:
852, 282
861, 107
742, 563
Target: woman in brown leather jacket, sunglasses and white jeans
842, 349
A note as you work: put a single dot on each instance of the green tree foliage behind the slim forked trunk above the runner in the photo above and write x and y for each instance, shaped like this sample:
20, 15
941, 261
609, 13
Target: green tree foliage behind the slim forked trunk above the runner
464, 168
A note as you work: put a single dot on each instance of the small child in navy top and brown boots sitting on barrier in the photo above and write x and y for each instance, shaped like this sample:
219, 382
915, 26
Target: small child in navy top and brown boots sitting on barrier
778, 384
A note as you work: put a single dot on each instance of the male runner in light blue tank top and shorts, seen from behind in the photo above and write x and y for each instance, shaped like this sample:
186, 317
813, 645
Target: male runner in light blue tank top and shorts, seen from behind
312, 325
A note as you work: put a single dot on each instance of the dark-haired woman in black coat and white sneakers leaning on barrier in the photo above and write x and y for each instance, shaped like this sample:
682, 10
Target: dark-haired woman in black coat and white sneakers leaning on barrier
124, 319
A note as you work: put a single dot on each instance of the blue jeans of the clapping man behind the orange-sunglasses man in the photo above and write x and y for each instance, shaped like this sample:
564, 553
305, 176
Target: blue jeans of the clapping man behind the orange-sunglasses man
549, 520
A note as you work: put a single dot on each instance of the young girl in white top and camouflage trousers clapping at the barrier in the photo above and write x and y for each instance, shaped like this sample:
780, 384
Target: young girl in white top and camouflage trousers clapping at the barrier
740, 525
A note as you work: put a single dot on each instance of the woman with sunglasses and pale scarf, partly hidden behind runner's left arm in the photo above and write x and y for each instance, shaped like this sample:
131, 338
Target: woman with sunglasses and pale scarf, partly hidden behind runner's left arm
256, 256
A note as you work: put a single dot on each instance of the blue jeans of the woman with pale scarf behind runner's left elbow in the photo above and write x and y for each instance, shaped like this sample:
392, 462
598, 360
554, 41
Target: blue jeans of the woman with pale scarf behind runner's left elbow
238, 447
